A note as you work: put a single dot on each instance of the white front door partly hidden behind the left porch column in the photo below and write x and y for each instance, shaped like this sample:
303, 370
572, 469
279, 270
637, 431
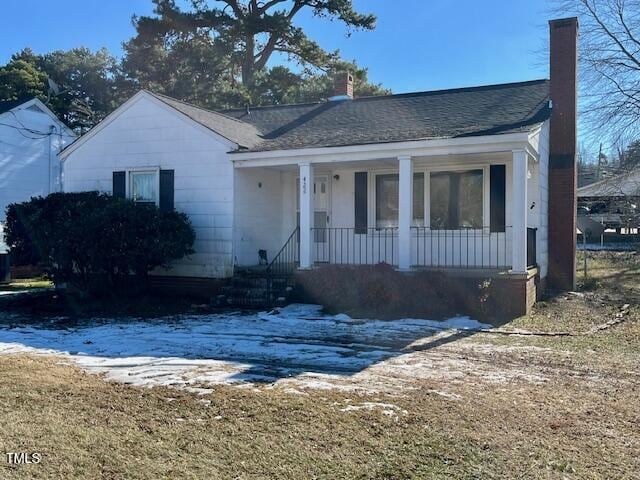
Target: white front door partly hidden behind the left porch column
321, 208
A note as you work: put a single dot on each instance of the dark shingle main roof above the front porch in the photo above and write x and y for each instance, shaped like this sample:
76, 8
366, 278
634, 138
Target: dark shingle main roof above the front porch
486, 110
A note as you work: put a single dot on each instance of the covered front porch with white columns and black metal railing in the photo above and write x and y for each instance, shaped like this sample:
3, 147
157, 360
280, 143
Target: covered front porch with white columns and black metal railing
476, 210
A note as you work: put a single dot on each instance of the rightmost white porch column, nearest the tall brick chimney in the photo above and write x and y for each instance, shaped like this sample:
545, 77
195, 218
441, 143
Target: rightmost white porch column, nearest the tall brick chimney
519, 212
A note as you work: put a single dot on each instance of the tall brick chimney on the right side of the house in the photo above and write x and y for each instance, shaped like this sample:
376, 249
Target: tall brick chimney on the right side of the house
562, 153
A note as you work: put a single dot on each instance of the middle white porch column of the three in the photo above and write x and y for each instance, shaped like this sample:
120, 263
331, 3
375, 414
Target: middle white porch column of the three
405, 214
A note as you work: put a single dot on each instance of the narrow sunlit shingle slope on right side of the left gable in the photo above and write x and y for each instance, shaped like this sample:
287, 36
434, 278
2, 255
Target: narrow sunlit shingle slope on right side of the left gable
244, 134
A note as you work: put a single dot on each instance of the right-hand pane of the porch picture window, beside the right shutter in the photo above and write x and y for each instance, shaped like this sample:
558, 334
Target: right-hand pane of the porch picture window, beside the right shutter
456, 199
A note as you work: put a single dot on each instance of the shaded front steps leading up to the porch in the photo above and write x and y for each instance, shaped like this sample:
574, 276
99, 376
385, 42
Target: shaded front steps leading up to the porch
254, 289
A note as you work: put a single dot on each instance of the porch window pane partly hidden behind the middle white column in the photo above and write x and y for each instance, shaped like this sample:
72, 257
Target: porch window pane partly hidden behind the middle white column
387, 191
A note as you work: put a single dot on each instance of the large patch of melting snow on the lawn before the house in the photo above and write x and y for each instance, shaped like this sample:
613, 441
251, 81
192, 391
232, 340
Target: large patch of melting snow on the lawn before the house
294, 347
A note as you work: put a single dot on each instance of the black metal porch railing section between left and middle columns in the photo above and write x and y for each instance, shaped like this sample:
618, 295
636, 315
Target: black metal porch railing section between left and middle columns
348, 245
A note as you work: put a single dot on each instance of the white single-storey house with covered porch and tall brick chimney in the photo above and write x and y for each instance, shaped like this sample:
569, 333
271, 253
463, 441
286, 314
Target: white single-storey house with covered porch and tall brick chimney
466, 180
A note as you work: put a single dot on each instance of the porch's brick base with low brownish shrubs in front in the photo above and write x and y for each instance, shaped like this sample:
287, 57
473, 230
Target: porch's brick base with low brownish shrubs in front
380, 291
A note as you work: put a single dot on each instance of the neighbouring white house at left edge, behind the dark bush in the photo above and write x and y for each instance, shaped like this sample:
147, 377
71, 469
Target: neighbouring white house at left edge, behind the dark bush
31, 137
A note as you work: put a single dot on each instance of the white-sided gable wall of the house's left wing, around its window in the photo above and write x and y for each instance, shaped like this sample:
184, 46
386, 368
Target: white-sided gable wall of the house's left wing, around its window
149, 134
